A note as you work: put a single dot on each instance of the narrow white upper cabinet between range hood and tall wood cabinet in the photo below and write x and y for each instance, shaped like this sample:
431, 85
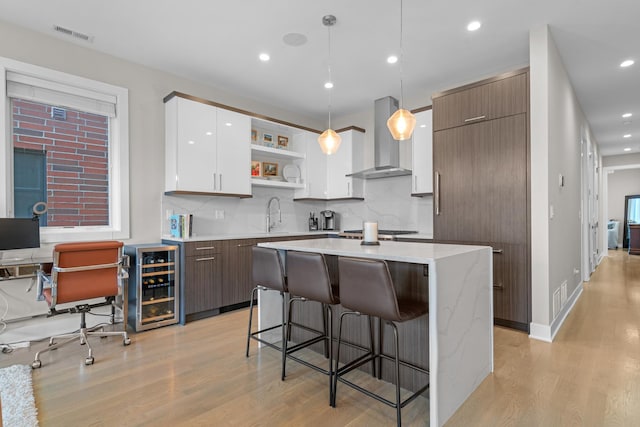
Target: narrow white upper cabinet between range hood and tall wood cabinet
422, 155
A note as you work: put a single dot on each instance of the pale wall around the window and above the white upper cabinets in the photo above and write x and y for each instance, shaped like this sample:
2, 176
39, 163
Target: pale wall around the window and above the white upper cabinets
147, 87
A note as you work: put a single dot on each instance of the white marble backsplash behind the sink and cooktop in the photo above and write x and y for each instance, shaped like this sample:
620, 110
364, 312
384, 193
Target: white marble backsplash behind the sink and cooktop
387, 201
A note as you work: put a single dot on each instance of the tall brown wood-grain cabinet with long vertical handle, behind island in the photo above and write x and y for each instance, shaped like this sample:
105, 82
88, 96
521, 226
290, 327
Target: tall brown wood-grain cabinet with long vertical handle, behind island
482, 175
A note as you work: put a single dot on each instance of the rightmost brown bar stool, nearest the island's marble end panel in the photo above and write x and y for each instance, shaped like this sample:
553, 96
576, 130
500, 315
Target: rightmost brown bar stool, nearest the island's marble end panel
366, 288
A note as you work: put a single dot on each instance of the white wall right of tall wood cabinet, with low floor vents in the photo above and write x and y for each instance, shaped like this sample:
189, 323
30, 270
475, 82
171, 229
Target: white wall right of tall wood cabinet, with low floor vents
557, 127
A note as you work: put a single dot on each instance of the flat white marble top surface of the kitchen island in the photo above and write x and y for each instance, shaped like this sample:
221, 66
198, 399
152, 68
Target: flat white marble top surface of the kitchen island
412, 252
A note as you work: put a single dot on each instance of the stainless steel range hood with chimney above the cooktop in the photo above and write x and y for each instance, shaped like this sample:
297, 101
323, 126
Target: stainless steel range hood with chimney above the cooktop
386, 153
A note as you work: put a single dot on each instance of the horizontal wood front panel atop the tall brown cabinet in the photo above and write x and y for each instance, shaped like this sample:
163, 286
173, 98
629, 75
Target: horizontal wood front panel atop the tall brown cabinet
487, 101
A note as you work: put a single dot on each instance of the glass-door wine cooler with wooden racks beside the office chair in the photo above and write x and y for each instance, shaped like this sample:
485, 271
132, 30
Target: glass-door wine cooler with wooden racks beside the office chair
153, 286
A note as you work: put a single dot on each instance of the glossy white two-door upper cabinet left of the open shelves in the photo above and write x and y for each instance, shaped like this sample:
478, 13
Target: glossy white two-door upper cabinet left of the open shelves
206, 148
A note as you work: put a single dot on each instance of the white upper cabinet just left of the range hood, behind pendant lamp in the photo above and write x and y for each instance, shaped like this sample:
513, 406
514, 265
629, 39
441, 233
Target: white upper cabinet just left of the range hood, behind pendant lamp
346, 160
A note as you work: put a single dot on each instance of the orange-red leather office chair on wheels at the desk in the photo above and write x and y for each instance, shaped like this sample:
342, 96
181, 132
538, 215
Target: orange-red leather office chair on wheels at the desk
80, 272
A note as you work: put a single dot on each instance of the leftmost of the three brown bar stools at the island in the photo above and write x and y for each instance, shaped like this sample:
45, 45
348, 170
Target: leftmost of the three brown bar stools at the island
268, 275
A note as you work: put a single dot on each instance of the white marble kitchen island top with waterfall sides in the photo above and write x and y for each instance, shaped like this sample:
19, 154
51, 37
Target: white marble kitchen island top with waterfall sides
460, 321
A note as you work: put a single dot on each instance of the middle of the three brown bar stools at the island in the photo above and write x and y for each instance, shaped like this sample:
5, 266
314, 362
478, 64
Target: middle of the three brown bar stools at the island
308, 280
